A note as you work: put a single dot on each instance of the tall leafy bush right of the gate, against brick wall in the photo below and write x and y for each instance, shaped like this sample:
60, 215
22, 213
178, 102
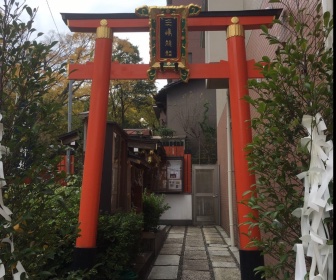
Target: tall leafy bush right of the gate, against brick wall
298, 81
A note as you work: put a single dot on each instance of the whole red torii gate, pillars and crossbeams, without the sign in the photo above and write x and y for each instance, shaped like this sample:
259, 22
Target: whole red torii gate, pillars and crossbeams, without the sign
102, 70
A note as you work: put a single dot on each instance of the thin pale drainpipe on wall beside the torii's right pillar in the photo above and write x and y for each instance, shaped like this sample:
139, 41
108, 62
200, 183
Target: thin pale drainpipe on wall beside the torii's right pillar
229, 163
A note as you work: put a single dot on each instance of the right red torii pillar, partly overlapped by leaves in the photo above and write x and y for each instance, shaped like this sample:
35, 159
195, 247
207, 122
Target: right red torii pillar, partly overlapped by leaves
250, 257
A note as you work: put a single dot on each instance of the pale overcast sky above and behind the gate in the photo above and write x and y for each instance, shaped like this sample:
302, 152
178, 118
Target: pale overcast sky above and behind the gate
46, 20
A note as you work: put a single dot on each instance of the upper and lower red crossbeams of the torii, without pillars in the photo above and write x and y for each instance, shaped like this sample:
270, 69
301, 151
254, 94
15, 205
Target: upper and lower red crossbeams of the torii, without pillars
130, 22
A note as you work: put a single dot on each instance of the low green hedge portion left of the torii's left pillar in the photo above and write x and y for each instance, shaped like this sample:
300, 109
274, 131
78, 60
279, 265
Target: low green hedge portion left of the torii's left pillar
45, 228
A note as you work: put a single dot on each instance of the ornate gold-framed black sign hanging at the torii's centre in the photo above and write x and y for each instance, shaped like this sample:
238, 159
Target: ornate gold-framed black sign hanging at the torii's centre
168, 32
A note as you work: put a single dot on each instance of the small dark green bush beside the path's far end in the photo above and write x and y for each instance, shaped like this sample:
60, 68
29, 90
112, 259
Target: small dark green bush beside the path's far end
153, 208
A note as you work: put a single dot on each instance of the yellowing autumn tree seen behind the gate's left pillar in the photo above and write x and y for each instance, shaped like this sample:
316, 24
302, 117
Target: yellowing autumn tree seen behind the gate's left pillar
129, 100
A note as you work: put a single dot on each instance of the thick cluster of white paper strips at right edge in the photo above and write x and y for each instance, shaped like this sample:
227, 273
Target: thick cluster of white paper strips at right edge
316, 206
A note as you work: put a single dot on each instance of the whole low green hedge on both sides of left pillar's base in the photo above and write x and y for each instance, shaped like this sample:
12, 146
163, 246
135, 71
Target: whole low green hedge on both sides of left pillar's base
47, 228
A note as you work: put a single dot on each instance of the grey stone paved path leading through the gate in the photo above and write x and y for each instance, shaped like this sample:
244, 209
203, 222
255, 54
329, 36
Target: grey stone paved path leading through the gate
192, 253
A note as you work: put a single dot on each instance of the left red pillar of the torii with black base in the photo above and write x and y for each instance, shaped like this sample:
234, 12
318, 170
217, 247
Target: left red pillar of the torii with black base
93, 163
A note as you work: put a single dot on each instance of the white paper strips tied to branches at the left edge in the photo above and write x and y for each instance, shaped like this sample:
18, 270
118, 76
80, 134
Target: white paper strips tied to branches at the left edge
5, 212
